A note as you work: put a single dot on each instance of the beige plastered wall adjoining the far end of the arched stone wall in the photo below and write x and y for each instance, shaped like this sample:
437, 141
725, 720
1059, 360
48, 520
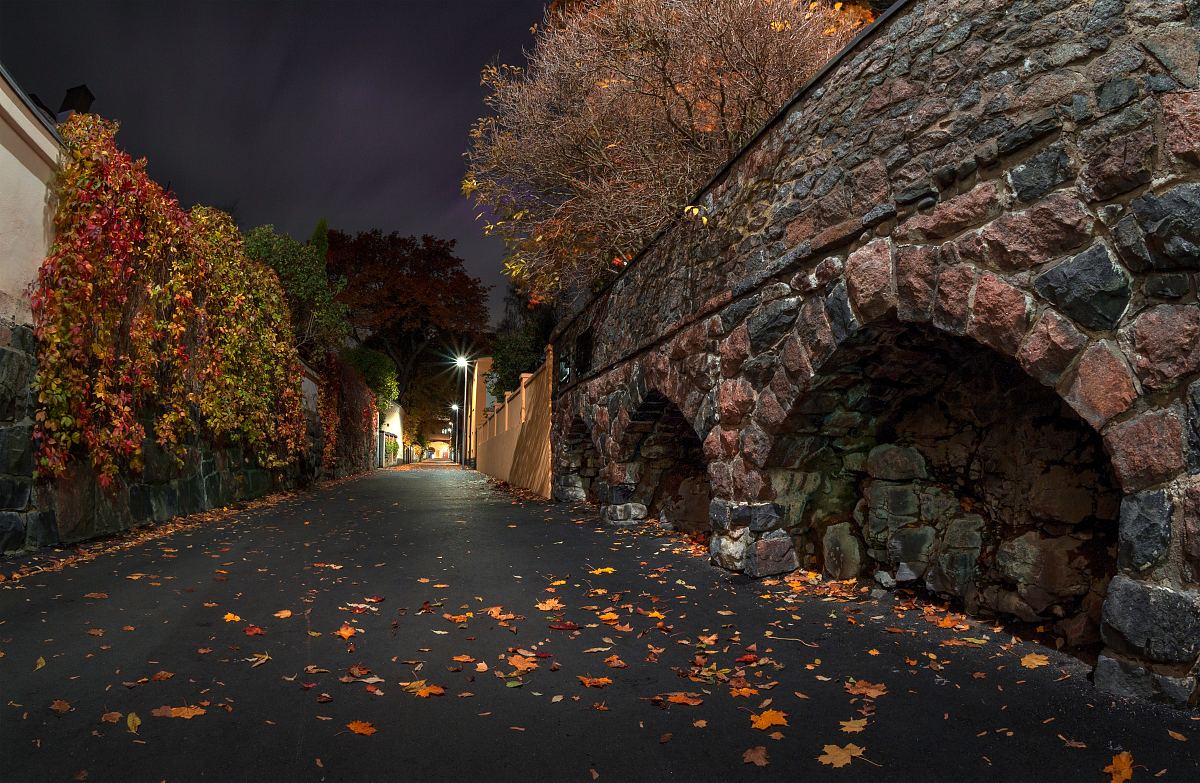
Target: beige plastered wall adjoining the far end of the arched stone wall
514, 437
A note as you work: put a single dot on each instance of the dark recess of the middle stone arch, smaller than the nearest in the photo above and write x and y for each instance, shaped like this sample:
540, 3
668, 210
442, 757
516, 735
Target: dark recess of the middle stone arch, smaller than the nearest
659, 469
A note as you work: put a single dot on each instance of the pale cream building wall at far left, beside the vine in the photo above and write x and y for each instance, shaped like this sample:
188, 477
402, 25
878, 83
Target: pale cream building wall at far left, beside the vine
29, 157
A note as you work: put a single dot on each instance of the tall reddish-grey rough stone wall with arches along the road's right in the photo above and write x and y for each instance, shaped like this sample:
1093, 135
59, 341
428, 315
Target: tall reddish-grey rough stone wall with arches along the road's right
941, 324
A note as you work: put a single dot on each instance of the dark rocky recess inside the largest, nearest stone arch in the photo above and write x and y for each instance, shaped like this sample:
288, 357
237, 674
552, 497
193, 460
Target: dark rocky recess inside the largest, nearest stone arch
934, 459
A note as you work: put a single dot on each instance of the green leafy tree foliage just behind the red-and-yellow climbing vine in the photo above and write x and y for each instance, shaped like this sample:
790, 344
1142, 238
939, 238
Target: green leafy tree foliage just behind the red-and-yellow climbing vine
319, 319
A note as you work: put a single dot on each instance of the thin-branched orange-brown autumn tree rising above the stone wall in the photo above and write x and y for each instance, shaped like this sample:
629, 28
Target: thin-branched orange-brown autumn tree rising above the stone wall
625, 110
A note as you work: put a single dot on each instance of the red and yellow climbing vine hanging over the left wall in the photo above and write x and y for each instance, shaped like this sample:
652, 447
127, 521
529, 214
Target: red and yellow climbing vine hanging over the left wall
149, 318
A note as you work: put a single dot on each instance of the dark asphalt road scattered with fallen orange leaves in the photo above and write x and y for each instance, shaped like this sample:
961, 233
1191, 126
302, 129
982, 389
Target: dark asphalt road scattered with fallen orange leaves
386, 559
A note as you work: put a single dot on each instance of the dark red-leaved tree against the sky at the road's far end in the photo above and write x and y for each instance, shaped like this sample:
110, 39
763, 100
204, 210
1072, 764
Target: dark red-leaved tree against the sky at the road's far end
407, 298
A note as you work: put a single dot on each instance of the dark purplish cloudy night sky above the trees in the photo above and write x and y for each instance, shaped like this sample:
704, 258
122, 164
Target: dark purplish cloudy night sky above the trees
284, 112
